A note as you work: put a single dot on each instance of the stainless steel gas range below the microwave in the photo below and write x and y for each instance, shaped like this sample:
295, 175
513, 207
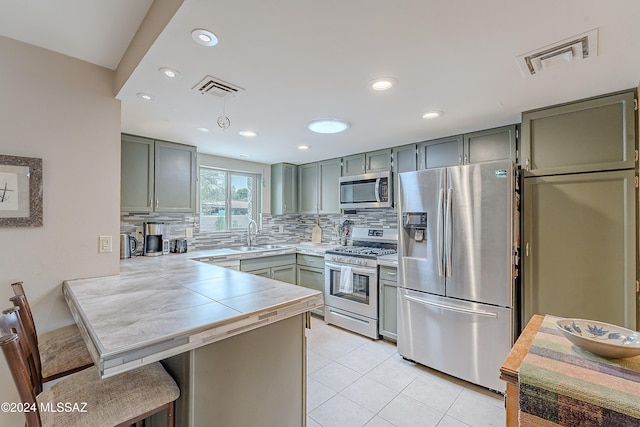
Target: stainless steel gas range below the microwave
351, 280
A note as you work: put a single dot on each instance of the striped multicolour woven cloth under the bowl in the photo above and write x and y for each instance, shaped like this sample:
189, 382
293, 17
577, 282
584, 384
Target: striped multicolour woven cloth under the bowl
563, 385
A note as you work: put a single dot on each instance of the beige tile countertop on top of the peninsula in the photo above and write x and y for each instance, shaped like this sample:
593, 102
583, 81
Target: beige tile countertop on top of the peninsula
161, 306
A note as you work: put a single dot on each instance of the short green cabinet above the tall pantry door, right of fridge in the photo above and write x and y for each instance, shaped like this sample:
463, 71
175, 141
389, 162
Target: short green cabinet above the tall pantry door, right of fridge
589, 135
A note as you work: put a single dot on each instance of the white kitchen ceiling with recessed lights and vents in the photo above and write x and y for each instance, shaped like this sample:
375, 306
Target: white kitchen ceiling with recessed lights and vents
298, 60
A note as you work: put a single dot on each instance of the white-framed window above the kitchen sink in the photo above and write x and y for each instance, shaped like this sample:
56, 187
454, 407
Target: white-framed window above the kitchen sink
228, 200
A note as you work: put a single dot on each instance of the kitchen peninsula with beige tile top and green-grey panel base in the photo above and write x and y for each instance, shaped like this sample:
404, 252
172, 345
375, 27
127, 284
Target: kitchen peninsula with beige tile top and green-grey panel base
234, 342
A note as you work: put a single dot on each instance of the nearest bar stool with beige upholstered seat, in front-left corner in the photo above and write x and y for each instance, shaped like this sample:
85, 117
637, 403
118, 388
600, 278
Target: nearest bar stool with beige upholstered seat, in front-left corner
122, 400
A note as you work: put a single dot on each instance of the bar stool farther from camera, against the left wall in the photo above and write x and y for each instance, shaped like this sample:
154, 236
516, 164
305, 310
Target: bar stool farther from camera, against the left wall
61, 351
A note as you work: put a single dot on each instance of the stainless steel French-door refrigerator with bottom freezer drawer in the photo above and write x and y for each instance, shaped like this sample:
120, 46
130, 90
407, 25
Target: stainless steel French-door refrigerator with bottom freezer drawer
457, 267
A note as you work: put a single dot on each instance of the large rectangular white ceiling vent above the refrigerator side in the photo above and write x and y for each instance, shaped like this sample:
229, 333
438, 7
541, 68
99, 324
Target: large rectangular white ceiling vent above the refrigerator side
582, 46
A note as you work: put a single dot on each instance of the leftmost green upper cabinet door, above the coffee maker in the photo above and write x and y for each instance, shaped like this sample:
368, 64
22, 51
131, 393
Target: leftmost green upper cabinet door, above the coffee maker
136, 166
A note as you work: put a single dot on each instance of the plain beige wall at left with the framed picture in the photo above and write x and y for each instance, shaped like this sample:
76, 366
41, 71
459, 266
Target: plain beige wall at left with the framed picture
63, 111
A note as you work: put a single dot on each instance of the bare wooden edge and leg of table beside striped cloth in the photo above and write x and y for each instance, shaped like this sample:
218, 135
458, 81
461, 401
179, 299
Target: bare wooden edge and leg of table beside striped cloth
511, 365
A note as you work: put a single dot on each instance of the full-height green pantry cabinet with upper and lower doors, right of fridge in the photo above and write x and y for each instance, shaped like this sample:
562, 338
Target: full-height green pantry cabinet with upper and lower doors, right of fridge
579, 204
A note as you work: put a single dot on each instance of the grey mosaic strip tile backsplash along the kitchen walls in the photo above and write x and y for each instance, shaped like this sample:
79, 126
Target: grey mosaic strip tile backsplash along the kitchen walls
295, 228
